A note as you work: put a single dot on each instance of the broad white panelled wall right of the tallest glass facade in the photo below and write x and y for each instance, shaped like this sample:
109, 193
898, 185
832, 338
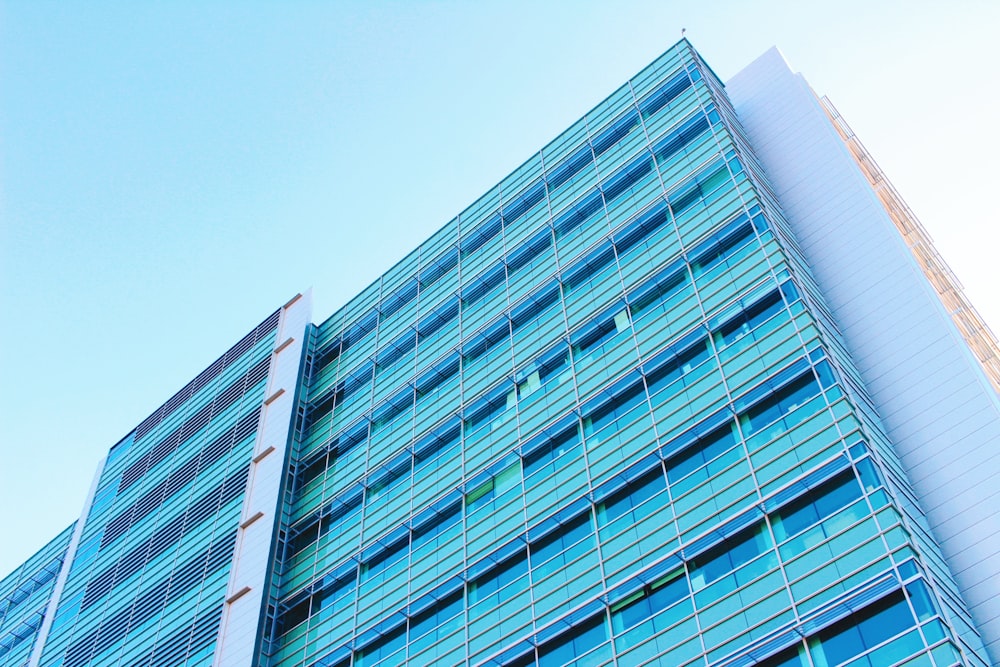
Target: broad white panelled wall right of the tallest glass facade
895, 326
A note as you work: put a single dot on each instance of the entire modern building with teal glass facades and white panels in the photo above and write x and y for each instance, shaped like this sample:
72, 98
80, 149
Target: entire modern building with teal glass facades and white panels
645, 401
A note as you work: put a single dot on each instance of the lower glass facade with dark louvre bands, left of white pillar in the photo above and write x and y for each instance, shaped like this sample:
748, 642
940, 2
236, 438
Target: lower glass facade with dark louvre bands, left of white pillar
147, 581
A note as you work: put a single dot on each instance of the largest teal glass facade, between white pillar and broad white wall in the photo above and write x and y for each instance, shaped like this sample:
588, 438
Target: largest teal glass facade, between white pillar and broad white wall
603, 415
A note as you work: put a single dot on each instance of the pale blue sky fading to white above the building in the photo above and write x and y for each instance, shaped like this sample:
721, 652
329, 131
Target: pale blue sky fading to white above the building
172, 172
